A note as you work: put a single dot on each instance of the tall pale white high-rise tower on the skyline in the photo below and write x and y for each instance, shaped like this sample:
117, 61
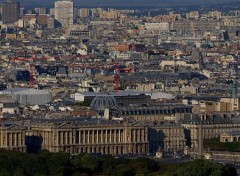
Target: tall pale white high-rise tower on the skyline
64, 12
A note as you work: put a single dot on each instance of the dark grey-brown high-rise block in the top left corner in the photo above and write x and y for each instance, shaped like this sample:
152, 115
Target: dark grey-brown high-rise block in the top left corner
10, 11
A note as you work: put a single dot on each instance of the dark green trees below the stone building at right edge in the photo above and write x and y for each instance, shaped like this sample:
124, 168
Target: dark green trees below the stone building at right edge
214, 143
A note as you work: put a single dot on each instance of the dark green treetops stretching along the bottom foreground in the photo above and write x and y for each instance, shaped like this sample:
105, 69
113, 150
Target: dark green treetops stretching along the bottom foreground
14, 163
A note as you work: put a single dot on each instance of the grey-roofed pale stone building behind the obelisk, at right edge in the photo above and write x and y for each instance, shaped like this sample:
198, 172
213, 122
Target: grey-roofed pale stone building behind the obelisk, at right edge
208, 126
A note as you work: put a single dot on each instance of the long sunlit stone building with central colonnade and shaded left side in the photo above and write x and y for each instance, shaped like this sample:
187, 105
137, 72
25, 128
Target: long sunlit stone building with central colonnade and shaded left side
88, 135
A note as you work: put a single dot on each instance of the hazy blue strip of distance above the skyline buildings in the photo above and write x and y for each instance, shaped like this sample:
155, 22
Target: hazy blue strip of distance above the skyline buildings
125, 2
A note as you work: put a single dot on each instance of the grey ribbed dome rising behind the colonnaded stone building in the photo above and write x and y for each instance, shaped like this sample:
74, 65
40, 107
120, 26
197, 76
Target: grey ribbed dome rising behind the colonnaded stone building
100, 103
